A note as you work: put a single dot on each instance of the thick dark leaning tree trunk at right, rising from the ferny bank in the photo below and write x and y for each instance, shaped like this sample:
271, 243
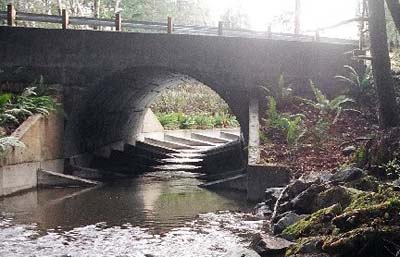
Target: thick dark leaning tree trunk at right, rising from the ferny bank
388, 110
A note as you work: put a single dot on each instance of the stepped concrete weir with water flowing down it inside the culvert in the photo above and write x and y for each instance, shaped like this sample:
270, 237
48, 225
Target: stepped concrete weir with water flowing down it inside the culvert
201, 151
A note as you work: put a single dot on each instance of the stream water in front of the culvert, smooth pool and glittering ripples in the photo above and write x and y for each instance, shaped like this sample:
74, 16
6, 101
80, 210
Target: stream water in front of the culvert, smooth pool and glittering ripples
153, 215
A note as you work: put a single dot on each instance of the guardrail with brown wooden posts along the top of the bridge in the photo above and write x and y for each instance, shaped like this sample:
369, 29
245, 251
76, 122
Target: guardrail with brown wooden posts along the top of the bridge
12, 17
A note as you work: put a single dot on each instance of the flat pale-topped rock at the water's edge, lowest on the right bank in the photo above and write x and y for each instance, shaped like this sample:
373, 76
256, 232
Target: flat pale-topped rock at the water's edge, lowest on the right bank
266, 245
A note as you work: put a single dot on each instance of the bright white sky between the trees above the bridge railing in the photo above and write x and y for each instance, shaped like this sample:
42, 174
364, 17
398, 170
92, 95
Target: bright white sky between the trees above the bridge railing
315, 13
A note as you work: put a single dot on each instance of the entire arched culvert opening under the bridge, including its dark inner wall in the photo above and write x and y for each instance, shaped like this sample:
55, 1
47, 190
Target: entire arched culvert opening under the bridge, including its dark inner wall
194, 124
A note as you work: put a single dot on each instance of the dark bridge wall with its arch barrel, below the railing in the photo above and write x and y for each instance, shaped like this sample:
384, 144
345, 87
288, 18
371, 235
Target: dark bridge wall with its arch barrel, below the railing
109, 78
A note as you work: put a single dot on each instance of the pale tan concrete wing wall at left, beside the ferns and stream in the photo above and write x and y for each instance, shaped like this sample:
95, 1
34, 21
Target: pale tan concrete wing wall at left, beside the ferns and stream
43, 138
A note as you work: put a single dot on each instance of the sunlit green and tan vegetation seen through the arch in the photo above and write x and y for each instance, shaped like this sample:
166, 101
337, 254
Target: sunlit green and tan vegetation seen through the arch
192, 106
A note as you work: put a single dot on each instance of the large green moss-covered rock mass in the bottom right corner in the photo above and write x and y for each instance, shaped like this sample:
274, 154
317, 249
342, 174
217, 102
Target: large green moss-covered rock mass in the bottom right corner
368, 226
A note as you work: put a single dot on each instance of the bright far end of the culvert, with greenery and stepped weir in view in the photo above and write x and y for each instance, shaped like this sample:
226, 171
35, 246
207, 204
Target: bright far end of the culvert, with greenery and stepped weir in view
196, 127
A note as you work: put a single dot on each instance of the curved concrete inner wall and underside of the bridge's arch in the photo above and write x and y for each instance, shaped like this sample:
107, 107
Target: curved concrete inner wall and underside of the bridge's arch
112, 111
